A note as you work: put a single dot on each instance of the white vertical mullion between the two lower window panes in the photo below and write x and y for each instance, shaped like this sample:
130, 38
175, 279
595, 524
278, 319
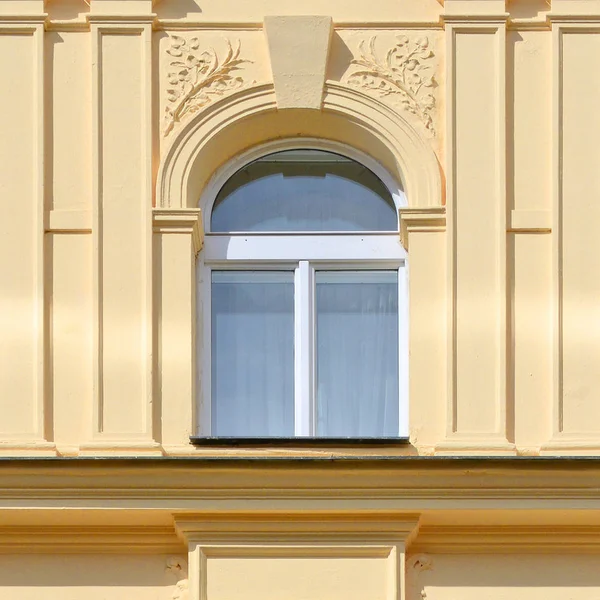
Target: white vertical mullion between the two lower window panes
304, 350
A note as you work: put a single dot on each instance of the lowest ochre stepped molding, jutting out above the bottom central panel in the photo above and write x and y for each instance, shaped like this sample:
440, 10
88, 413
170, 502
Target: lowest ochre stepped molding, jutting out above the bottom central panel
299, 527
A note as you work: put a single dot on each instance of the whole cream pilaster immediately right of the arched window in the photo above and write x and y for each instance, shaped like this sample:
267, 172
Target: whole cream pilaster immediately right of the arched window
478, 396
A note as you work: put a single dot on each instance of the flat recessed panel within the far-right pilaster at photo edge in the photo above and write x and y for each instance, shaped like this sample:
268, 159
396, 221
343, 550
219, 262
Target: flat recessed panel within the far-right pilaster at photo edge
579, 242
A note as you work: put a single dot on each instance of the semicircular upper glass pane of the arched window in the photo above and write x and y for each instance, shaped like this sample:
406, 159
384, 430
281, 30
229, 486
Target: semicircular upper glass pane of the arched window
304, 190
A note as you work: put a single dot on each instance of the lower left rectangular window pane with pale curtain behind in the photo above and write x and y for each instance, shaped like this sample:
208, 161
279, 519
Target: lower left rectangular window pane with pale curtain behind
252, 381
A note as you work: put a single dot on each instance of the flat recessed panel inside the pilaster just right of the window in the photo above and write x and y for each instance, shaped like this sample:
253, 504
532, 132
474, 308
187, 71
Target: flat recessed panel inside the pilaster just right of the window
477, 210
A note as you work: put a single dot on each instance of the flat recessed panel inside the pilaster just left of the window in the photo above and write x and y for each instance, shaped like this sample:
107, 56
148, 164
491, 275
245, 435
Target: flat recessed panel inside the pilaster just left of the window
121, 228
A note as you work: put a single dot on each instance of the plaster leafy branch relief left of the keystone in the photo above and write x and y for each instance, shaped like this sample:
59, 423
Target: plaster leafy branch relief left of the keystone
196, 78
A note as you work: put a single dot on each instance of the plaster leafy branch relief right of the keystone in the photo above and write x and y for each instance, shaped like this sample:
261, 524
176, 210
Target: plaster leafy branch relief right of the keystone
404, 75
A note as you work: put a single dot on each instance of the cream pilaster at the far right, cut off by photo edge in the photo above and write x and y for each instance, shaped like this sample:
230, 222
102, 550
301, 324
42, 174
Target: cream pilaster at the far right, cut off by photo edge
575, 130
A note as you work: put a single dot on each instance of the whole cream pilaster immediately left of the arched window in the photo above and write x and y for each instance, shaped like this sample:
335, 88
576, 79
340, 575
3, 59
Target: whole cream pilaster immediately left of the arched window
123, 415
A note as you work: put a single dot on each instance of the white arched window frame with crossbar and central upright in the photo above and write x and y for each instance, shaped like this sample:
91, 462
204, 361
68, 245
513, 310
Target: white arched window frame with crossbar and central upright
304, 253
